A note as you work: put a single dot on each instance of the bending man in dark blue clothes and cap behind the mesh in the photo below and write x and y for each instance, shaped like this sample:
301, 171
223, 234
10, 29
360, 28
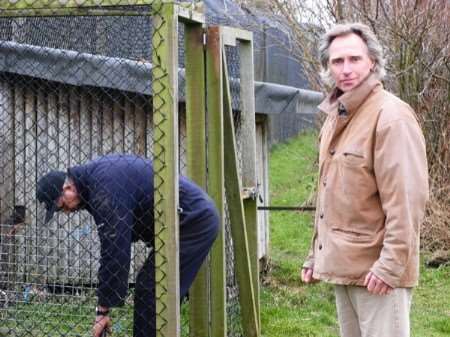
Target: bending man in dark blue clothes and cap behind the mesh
117, 190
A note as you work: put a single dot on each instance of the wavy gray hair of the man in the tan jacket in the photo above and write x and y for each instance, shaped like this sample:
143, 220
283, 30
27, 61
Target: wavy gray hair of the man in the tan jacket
365, 33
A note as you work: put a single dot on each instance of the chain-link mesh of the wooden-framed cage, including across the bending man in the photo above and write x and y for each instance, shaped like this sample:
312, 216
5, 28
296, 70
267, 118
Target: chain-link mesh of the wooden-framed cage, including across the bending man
72, 89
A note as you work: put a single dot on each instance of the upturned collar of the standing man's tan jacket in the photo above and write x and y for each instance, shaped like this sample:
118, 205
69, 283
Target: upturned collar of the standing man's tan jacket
351, 100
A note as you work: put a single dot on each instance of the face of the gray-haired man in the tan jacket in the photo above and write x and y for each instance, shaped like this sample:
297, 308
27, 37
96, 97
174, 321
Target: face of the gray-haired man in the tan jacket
349, 62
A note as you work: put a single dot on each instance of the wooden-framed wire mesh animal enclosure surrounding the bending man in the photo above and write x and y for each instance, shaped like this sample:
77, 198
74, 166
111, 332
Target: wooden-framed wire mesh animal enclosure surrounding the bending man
80, 81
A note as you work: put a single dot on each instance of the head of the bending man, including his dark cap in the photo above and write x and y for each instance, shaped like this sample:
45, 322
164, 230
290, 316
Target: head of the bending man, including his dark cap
58, 193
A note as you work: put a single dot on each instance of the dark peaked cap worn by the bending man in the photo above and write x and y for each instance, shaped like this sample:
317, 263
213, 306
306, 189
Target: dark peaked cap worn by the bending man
49, 189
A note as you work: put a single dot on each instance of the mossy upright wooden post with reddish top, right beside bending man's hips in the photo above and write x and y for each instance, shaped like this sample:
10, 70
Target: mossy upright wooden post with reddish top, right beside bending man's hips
215, 155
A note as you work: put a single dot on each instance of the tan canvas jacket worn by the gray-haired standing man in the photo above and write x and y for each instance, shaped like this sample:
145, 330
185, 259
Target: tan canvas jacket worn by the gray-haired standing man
373, 186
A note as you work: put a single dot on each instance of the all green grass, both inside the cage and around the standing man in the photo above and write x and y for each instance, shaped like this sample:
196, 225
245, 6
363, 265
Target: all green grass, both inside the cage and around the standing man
288, 308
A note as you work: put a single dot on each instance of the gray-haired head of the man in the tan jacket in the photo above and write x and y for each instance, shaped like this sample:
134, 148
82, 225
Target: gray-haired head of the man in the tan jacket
348, 54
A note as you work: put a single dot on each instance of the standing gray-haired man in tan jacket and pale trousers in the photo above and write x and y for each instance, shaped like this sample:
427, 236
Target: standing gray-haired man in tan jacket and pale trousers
373, 186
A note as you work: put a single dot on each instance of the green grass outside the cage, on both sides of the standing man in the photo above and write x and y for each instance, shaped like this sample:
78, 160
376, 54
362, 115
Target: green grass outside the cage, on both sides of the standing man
289, 308
